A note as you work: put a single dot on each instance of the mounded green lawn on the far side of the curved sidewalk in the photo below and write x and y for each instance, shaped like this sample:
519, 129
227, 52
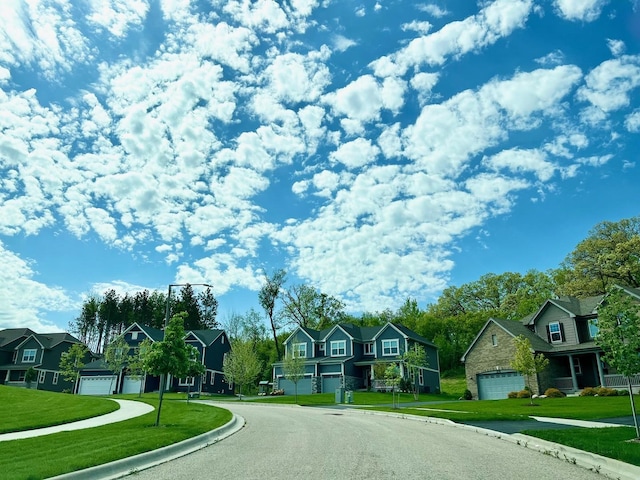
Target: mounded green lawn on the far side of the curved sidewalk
52, 408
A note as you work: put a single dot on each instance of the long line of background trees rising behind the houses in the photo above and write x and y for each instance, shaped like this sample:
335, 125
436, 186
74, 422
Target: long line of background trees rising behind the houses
609, 255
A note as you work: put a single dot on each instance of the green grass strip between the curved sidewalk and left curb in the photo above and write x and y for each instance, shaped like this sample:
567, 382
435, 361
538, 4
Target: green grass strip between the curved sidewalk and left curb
70, 451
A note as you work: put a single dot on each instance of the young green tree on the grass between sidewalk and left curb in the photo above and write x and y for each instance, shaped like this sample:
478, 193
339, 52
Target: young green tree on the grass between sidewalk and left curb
171, 356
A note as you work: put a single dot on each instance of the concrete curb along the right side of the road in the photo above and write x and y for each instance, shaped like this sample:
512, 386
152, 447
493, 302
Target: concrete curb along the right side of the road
608, 467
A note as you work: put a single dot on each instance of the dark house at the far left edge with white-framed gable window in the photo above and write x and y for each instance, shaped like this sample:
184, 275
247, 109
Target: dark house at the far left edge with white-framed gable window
22, 348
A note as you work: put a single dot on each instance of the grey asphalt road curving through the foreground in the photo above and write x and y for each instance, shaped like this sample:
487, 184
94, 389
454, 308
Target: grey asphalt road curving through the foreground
282, 442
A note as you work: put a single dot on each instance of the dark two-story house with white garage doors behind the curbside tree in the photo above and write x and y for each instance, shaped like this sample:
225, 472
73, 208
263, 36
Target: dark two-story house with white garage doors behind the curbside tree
212, 345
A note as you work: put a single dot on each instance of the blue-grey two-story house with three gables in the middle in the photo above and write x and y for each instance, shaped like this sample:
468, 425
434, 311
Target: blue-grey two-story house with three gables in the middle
345, 355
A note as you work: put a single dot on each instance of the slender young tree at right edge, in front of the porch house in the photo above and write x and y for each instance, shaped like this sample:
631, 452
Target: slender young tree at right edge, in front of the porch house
619, 337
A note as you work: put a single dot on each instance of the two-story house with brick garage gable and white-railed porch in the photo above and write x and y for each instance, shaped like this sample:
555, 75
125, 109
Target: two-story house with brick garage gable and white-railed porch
564, 330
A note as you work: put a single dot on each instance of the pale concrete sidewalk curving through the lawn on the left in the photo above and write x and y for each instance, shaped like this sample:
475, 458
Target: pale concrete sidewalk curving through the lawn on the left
128, 409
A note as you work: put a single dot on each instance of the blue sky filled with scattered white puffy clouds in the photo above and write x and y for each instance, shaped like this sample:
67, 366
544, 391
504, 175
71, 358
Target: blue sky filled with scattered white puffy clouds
374, 150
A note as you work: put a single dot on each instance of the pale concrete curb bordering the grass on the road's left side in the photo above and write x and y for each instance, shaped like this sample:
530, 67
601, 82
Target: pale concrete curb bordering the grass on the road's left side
130, 465
